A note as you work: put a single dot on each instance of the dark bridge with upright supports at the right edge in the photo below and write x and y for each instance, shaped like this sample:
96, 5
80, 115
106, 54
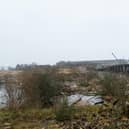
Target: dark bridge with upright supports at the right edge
119, 68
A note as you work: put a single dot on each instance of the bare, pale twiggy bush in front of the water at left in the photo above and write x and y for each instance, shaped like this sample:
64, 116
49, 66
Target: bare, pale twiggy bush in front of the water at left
14, 94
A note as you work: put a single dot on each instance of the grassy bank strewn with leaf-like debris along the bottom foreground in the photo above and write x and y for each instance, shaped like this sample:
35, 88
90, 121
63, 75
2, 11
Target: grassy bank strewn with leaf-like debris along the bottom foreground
84, 117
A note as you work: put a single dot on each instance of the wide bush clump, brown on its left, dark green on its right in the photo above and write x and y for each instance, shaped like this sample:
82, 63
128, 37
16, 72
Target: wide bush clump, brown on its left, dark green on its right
40, 89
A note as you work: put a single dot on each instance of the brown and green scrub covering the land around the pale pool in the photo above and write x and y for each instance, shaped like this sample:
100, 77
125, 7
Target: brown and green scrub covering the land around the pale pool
34, 101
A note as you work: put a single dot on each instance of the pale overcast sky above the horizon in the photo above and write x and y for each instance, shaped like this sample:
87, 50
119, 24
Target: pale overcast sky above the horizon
48, 31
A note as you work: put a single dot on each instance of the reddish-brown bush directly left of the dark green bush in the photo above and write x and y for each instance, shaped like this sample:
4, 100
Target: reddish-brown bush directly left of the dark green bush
28, 82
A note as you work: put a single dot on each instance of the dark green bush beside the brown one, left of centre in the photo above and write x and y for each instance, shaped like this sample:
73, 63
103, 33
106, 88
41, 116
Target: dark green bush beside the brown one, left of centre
49, 88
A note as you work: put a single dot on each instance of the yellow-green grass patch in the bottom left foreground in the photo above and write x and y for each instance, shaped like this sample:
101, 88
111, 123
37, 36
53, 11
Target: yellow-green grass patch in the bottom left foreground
26, 118
